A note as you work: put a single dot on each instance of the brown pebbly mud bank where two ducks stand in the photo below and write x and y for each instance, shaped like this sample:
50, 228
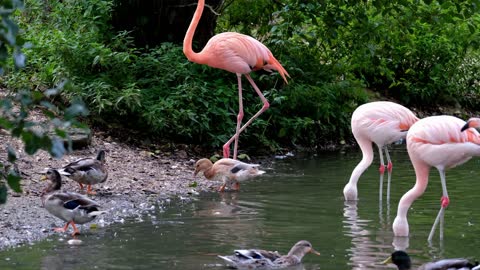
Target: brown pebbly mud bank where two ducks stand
138, 182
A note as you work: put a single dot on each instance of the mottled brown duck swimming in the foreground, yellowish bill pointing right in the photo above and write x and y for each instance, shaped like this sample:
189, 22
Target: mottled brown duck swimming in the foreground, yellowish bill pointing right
262, 259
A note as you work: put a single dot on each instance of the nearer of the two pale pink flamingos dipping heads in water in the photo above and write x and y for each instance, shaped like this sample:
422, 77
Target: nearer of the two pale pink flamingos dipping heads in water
435, 141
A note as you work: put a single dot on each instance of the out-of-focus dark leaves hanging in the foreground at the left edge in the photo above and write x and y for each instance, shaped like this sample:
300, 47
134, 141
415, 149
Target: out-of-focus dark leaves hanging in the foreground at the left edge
16, 108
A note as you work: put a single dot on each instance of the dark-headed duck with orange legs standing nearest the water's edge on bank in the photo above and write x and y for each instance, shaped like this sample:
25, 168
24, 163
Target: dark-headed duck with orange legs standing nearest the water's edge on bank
71, 207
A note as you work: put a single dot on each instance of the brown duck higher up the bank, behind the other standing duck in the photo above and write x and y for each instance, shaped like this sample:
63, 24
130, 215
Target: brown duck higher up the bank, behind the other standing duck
88, 171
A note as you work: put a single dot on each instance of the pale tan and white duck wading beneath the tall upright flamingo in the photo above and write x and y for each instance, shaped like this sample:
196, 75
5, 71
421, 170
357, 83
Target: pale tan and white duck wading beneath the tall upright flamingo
227, 169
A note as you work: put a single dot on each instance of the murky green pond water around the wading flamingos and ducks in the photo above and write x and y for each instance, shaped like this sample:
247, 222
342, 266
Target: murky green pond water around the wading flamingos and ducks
299, 198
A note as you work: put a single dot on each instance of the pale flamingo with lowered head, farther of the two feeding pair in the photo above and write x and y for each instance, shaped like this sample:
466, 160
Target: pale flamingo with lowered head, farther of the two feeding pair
382, 123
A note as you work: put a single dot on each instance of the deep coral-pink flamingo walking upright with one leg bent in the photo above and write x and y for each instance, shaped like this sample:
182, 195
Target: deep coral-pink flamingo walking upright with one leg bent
237, 53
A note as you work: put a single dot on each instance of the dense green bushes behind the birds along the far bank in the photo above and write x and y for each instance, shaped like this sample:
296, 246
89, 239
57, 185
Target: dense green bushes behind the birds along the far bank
418, 52
